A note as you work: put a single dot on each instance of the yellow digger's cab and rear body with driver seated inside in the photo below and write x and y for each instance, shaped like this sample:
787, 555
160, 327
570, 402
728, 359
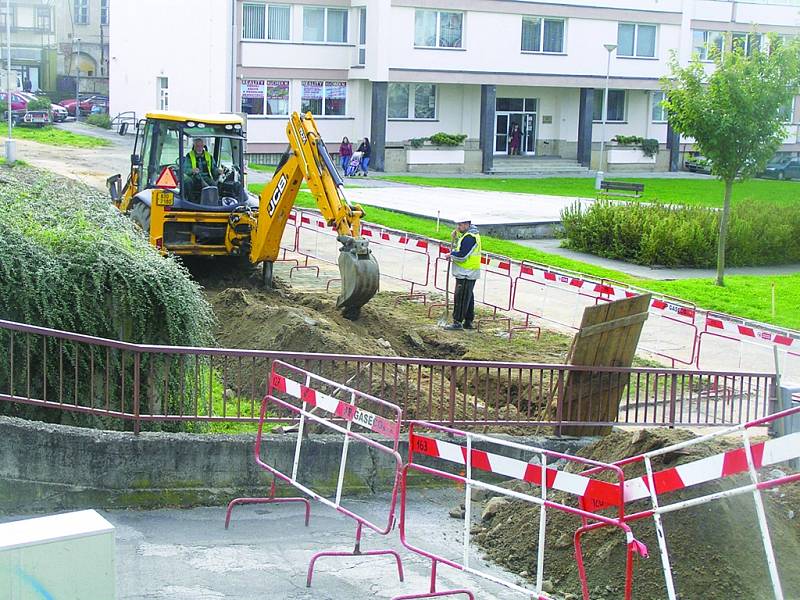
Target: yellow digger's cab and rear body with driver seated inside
187, 177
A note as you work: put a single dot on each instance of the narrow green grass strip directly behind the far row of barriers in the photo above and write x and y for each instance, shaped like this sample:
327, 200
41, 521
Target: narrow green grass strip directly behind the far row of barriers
743, 296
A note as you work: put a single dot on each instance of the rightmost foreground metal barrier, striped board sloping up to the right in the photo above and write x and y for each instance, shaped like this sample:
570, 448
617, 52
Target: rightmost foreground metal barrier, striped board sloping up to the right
747, 460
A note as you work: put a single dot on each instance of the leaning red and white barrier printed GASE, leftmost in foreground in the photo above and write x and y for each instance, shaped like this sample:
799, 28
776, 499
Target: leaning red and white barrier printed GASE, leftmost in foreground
299, 392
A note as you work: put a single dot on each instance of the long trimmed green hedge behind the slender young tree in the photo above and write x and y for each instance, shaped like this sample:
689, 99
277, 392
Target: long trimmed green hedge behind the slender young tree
684, 236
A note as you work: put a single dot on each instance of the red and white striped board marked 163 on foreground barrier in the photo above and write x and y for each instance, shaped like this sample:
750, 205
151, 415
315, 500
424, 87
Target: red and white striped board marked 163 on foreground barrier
570, 483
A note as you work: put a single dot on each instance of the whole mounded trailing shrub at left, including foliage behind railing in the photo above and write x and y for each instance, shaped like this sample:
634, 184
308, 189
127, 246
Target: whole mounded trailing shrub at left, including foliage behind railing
71, 261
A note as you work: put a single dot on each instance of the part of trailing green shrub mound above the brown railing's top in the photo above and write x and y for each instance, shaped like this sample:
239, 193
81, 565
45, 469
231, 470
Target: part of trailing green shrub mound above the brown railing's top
69, 260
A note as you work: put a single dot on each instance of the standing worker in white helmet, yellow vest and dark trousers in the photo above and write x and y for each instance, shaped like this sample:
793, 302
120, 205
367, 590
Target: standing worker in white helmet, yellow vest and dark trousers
466, 268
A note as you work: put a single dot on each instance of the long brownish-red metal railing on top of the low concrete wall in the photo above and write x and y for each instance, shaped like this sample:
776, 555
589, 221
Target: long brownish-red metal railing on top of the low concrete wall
130, 383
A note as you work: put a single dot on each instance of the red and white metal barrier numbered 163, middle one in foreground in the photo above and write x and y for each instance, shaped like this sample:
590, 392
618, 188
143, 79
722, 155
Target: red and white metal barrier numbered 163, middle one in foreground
457, 459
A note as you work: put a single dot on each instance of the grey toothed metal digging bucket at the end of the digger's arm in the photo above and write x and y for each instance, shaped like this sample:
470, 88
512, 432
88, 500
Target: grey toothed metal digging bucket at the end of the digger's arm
360, 275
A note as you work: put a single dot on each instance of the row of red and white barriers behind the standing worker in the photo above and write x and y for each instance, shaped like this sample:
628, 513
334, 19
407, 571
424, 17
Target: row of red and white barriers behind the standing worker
676, 330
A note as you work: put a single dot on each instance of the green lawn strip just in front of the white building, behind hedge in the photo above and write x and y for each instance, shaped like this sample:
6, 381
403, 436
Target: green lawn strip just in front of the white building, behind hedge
704, 192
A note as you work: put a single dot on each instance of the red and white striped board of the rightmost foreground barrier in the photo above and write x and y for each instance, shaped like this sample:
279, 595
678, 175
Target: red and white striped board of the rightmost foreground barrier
733, 462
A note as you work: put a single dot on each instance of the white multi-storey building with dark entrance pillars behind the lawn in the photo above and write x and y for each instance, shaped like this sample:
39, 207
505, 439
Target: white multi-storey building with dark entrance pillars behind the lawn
494, 70
